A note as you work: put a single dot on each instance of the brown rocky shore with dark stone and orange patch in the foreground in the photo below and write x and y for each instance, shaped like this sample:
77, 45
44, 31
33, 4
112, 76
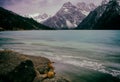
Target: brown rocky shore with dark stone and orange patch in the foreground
16, 67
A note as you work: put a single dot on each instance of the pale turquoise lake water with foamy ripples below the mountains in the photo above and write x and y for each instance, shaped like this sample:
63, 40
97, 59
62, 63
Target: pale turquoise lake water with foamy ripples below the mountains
81, 56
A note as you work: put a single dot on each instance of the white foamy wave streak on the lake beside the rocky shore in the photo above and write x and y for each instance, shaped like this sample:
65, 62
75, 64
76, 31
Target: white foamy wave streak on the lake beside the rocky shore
88, 64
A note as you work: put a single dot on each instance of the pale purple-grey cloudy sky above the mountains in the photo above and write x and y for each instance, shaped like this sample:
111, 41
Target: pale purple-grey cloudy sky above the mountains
24, 7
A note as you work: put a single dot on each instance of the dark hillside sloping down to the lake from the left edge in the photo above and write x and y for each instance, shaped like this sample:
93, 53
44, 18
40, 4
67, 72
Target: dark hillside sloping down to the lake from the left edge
11, 21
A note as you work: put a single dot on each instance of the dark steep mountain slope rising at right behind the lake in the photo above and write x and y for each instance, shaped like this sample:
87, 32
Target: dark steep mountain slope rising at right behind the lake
106, 16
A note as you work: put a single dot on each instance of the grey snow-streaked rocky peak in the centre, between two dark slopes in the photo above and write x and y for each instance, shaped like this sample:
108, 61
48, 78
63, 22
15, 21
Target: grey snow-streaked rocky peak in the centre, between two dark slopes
69, 16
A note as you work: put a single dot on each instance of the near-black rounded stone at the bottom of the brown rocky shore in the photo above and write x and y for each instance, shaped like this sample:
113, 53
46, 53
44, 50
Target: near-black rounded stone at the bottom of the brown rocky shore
23, 73
